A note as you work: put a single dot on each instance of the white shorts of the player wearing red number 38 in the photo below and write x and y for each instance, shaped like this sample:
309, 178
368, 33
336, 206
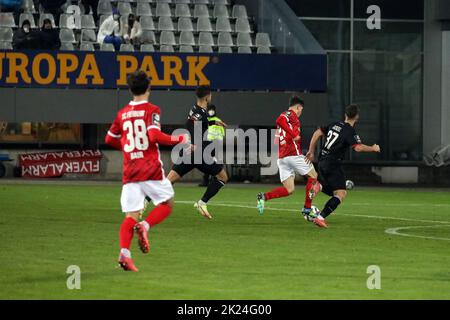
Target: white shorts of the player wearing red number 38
133, 194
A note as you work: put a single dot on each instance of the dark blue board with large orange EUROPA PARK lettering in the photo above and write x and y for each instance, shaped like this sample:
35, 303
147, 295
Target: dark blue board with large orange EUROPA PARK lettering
168, 71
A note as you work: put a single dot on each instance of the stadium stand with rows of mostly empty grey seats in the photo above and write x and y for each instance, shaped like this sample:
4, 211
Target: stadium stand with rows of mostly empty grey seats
200, 25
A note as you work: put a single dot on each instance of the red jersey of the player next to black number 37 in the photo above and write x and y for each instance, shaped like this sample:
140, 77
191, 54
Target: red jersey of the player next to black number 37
288, 127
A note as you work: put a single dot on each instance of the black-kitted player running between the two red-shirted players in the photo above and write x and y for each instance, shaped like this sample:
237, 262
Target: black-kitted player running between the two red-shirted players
198, 117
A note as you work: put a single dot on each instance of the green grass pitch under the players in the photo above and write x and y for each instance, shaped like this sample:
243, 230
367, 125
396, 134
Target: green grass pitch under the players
240, 254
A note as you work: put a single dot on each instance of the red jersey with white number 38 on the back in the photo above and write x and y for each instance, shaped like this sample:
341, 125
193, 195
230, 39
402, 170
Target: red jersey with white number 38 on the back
141, 158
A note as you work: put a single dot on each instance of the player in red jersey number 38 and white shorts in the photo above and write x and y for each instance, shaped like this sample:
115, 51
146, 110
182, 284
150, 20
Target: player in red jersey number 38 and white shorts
136, 131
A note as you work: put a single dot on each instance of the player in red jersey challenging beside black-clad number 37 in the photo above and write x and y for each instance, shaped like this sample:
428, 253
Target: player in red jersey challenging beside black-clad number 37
291, 160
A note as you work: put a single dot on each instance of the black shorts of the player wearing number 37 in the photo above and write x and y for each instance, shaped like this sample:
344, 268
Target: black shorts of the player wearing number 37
331, 176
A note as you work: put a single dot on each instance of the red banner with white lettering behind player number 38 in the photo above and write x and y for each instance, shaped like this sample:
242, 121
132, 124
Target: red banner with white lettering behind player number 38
56, 164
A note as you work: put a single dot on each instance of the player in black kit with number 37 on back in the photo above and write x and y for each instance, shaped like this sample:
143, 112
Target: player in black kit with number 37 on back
339, 137
